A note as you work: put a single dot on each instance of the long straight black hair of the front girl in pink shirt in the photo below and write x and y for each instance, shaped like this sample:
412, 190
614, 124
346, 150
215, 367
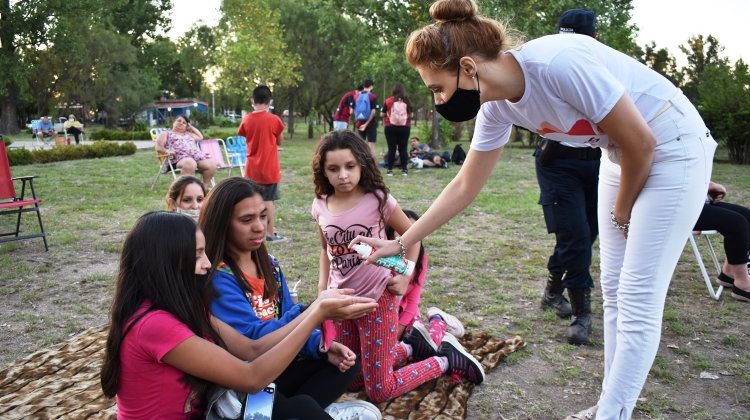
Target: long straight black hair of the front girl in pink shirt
157, 266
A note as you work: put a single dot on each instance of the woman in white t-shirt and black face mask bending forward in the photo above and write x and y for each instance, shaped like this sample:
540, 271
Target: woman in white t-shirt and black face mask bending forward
653, 179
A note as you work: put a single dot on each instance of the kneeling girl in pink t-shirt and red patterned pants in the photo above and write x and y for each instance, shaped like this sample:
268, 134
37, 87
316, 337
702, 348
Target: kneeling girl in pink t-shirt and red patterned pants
352, 199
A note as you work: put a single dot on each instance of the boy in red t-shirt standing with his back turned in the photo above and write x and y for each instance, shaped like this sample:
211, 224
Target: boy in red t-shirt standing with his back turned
264, 133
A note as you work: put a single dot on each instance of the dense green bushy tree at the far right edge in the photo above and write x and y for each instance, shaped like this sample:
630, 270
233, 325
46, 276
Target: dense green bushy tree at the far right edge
724, 104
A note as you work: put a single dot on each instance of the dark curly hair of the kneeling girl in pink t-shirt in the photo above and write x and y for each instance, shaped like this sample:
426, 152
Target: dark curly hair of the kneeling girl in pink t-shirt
371, 180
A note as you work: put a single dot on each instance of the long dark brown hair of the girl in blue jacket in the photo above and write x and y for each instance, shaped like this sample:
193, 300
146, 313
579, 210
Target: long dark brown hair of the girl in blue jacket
215, 220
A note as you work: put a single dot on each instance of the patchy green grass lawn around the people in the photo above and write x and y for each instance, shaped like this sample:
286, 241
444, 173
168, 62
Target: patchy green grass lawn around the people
487, 266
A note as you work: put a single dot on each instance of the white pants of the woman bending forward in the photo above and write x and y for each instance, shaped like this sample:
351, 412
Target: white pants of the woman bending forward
635, 273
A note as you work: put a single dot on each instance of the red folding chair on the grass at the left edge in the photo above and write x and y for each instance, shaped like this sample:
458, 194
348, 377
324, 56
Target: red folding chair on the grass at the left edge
10, 203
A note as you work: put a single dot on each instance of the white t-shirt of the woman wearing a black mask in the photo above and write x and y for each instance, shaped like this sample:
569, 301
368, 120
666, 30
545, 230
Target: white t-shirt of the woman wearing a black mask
571, 83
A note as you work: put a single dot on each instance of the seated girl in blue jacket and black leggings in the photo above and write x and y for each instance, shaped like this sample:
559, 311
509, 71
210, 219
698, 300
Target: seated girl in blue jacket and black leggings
253, 296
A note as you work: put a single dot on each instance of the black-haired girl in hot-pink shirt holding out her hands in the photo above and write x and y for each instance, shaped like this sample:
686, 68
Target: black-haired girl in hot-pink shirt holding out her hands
164, 349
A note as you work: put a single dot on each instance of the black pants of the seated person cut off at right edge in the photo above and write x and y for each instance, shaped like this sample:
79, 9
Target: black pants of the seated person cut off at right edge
733, 222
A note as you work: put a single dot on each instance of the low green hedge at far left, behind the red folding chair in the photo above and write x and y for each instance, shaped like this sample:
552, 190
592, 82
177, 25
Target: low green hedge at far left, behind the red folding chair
97, 150
